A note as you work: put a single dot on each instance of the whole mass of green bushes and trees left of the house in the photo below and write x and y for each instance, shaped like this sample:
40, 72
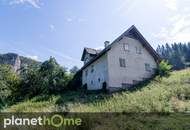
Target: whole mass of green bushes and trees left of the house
46, 79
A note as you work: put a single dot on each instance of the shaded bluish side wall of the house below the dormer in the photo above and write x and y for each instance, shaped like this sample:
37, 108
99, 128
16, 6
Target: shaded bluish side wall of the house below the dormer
100, 72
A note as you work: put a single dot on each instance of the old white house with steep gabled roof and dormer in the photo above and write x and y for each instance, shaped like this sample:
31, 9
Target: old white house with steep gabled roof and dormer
128, 60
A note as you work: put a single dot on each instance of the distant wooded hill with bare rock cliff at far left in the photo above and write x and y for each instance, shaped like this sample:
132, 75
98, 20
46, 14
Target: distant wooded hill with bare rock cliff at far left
17, 61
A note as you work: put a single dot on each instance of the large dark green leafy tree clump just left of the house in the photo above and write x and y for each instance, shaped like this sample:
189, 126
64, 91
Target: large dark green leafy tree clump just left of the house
49, 78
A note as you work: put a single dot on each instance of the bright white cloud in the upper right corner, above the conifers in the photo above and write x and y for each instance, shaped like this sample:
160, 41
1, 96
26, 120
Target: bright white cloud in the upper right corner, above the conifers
178, 23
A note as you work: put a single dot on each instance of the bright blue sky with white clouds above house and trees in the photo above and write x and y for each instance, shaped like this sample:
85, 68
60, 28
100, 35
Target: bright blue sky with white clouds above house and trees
62, 28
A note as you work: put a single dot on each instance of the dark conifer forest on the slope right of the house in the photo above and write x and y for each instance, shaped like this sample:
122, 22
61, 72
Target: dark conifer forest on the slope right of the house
178, 55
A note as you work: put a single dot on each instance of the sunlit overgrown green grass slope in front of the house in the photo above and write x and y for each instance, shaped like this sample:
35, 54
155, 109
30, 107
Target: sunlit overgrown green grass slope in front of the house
169, 94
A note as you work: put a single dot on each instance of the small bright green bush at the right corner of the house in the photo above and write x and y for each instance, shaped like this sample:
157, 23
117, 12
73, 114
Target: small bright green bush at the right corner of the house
164, 68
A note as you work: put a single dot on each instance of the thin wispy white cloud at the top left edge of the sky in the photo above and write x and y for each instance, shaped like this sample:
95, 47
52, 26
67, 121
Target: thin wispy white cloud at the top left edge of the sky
34, 3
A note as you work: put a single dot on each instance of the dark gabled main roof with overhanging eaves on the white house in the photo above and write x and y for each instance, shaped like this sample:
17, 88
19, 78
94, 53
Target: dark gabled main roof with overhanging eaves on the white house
131, 32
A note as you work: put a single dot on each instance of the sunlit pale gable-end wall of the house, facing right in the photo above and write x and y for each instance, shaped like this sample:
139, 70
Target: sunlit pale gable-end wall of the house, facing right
135, 63
